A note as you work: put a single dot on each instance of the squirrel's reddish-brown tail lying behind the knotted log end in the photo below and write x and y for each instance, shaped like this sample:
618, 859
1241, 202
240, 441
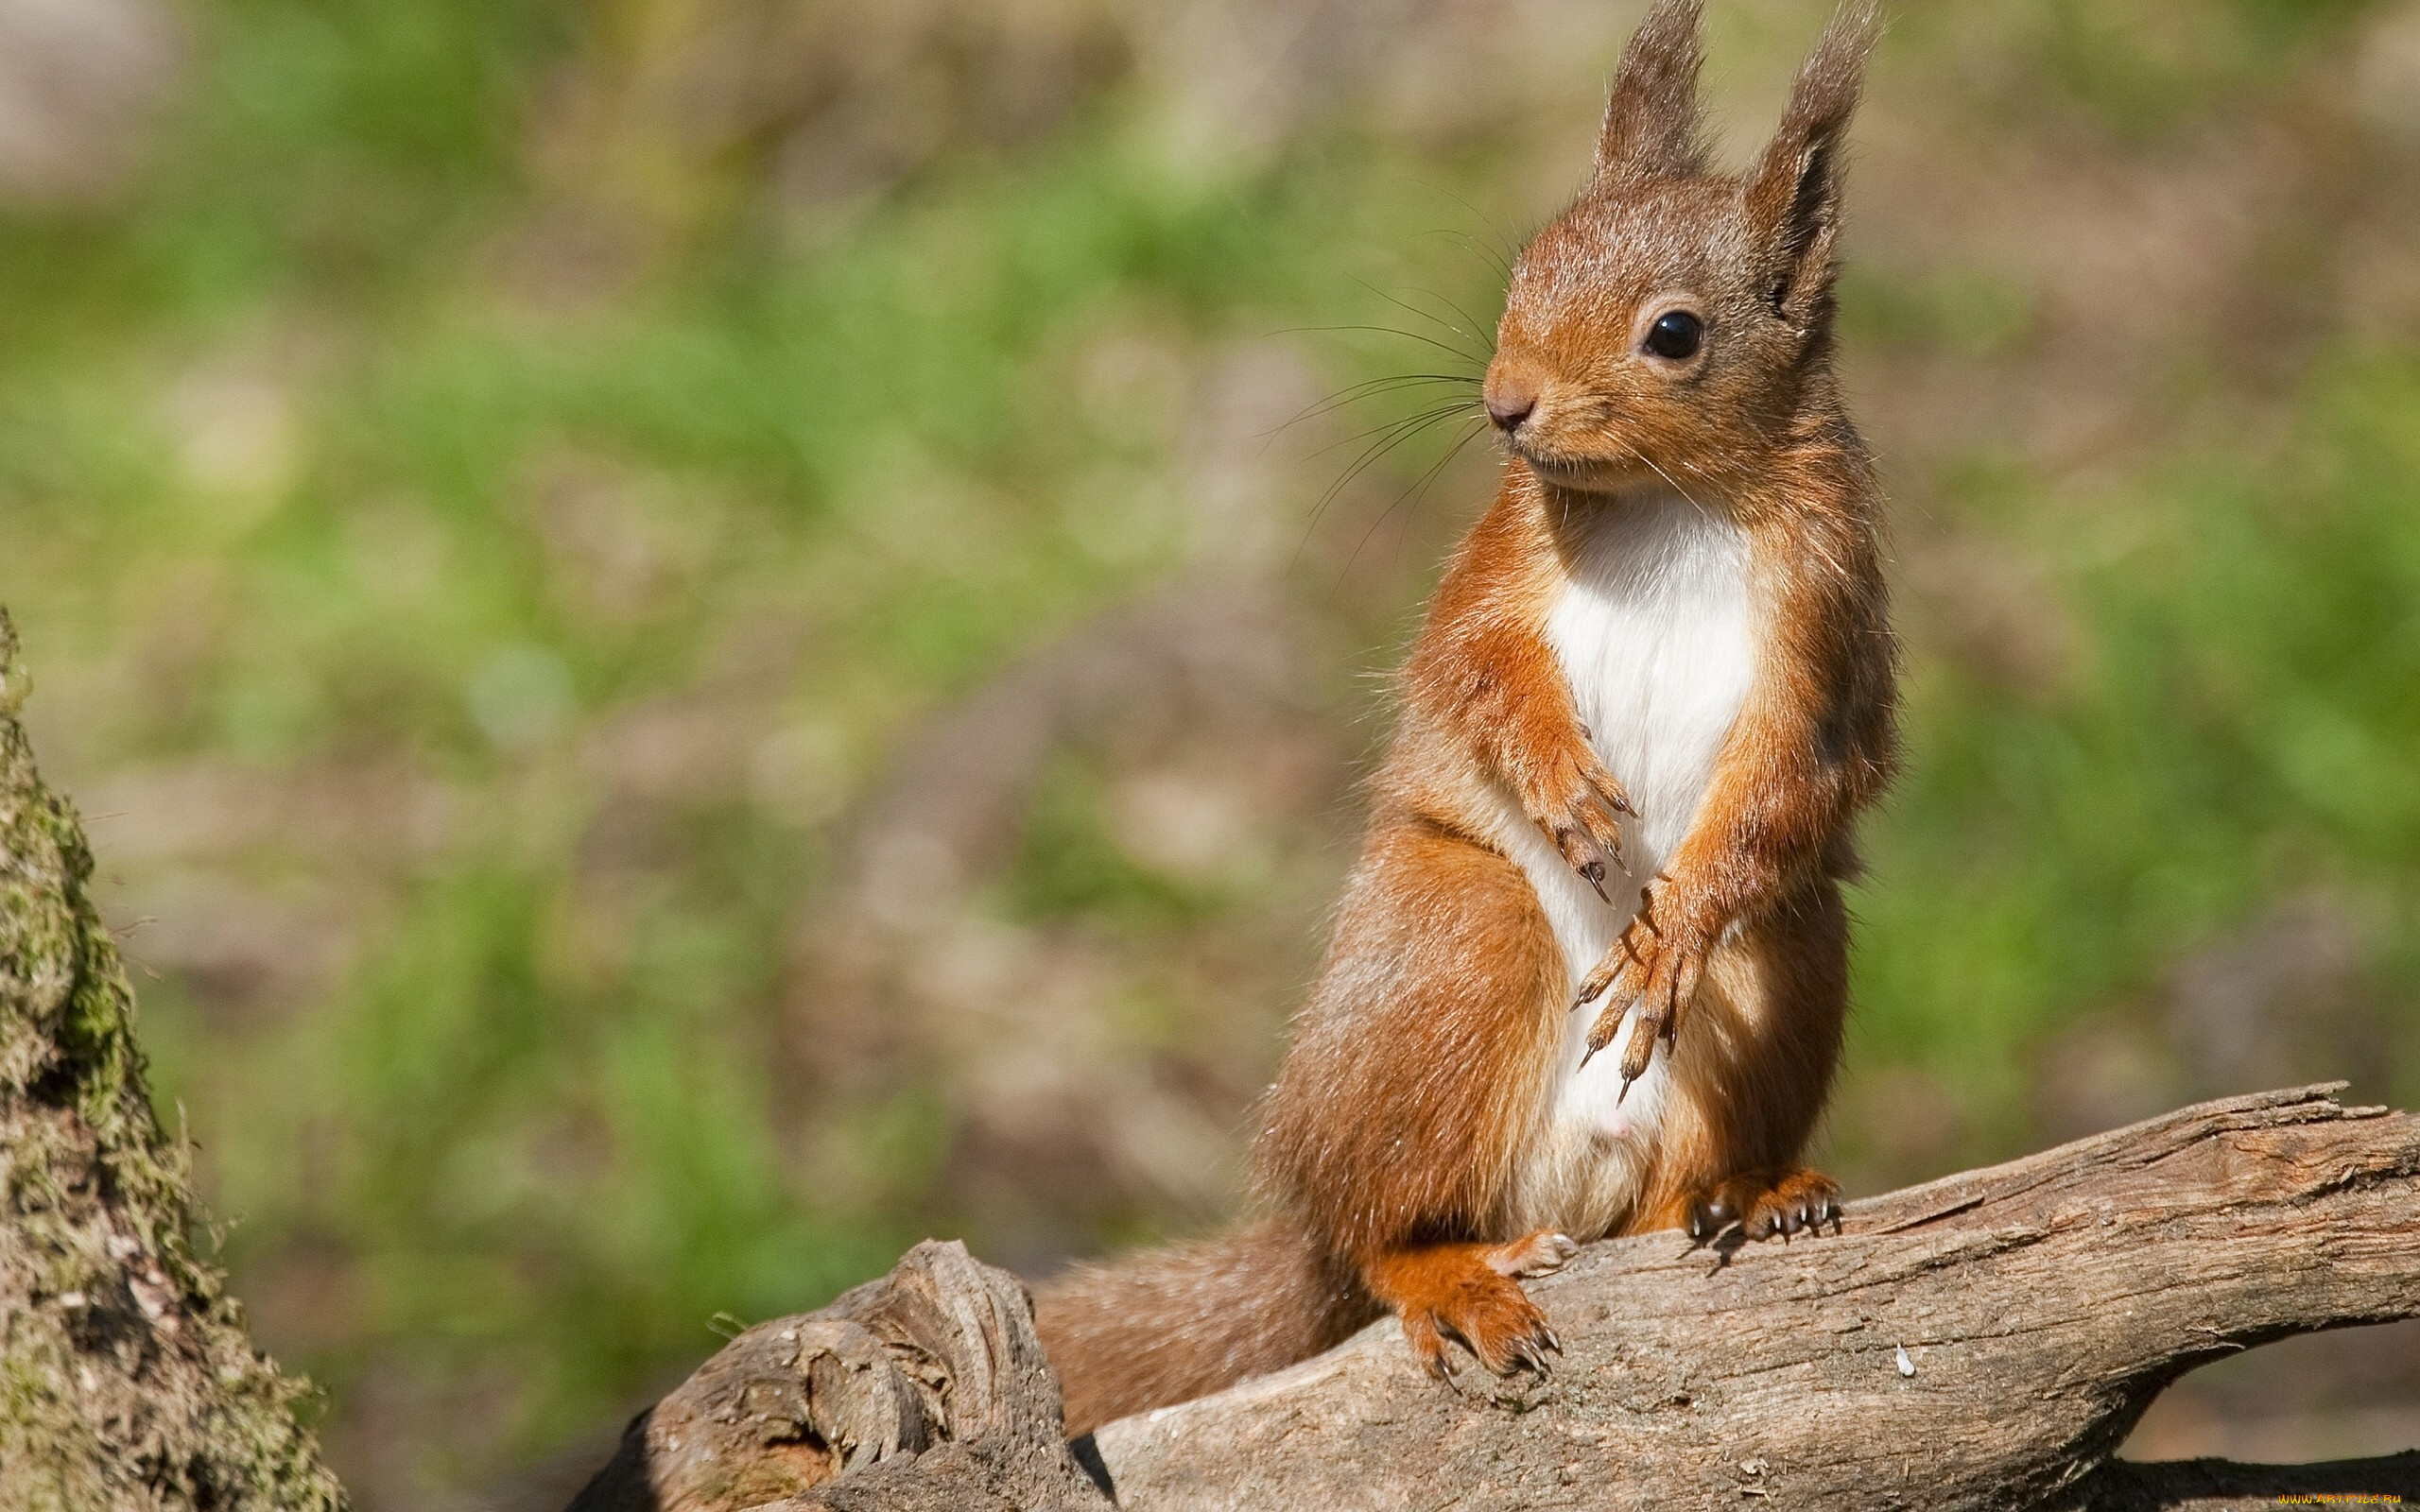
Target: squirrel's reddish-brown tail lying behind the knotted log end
1180, 1322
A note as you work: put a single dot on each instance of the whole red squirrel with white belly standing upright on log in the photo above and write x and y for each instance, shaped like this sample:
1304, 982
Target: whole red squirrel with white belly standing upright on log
1652, 696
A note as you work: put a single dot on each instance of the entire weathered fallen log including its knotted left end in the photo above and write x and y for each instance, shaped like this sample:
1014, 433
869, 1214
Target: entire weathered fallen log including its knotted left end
1976, 1344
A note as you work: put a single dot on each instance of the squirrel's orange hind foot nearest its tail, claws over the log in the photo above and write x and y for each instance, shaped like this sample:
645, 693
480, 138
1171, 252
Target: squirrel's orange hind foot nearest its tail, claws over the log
1470, 1293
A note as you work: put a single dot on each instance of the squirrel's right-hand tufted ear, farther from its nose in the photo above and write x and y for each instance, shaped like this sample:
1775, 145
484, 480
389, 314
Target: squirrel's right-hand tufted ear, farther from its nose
1794, 190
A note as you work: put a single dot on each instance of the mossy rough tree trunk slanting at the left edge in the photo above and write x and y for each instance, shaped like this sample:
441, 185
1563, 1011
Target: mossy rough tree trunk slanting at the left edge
127, 1378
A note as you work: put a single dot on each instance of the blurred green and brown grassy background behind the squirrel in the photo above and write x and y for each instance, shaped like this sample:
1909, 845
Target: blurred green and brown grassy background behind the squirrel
703, 637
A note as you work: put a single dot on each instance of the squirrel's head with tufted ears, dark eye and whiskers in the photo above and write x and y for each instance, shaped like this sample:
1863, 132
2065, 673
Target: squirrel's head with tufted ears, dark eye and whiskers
1671, 323
